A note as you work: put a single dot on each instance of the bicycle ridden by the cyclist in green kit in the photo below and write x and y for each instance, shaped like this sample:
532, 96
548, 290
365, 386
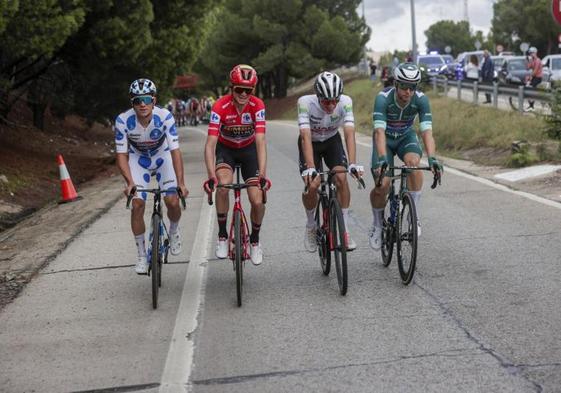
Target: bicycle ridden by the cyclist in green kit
400, 221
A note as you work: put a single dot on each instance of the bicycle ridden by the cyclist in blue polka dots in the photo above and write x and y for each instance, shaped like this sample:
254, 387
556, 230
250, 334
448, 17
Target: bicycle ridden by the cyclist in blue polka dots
158, 238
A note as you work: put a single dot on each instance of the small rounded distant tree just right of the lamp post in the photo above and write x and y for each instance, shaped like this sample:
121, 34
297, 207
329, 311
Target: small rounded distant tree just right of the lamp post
445, 33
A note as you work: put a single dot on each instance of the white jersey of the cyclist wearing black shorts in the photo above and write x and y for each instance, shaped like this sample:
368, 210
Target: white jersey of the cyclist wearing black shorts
323, 125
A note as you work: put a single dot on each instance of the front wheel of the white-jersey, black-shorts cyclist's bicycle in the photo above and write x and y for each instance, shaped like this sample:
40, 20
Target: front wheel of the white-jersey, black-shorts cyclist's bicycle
339, 246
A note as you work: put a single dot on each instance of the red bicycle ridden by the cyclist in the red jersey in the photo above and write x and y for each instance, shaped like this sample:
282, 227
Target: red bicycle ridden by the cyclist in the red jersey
238, 241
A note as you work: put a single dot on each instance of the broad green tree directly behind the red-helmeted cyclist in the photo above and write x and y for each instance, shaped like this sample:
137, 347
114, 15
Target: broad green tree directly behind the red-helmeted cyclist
292, 38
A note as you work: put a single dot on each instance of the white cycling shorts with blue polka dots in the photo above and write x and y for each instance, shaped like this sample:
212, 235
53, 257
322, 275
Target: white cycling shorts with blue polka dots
144, 167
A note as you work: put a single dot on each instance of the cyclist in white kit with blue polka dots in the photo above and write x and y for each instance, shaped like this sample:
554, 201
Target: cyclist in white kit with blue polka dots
147, 145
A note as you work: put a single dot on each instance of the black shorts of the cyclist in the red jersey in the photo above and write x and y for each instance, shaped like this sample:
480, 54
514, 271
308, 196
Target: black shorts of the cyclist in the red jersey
227, 157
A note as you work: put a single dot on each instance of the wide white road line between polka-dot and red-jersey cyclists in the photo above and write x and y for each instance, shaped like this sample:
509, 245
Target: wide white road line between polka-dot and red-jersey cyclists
180, 354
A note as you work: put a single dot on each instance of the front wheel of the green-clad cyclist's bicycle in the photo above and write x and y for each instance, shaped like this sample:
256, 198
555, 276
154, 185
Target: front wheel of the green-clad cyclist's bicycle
407, 239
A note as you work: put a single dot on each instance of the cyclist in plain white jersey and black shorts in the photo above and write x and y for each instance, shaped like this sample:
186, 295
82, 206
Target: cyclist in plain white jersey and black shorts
319, 117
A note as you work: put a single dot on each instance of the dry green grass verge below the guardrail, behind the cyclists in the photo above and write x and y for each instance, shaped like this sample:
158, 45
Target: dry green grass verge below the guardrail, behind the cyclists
462, 130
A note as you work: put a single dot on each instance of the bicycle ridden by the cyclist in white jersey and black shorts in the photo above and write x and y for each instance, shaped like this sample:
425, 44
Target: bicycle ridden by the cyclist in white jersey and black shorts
331, 235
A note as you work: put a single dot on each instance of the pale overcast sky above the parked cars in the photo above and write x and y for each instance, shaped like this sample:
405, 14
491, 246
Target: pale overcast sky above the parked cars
390, 20
